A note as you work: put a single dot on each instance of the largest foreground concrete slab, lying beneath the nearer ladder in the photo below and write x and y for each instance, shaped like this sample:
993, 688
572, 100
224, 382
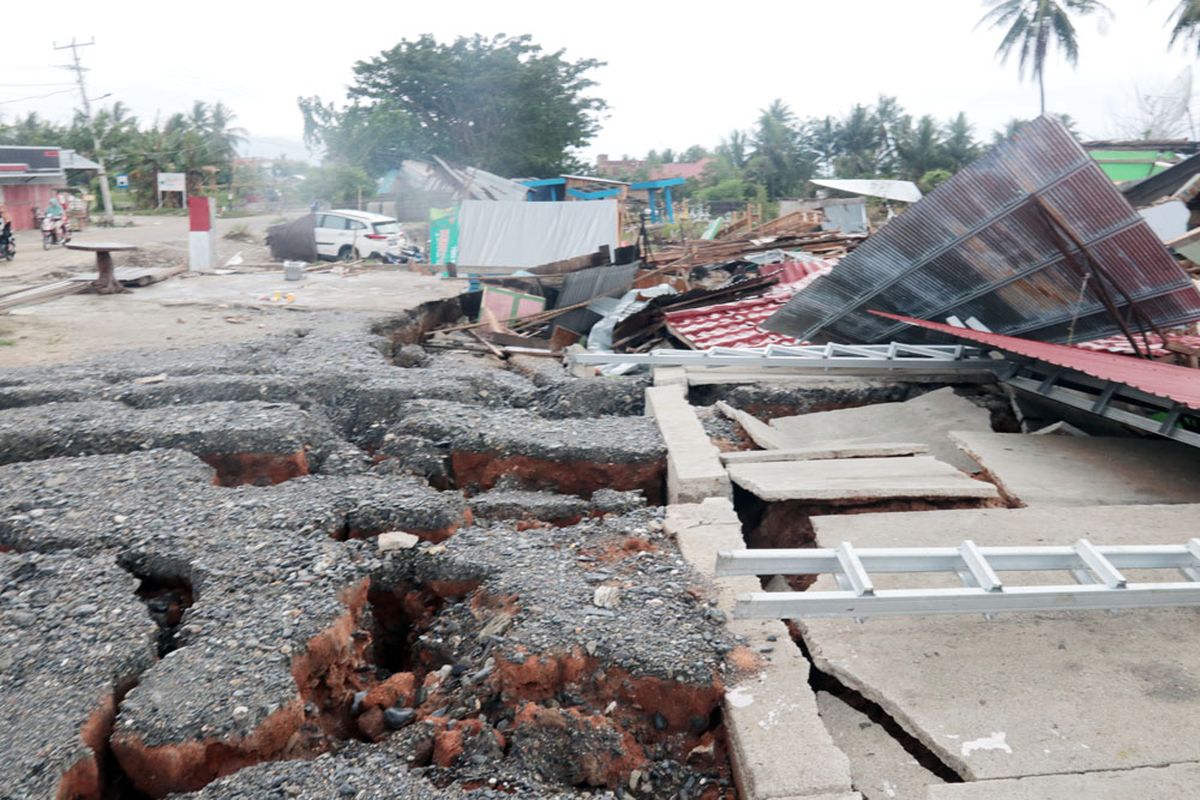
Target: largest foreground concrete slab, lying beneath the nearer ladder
1033, 694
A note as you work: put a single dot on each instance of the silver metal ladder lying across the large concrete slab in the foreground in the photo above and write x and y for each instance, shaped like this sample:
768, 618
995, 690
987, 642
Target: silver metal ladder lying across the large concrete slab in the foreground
1097, 572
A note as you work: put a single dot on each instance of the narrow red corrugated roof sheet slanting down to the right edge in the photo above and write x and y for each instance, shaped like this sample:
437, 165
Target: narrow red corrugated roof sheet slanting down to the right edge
1179, 384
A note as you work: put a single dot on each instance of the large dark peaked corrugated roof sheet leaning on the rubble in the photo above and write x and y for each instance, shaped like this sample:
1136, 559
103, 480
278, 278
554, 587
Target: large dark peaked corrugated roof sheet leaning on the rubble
981, 246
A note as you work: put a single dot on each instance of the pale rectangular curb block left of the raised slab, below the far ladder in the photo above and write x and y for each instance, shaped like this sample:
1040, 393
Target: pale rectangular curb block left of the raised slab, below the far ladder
694, 468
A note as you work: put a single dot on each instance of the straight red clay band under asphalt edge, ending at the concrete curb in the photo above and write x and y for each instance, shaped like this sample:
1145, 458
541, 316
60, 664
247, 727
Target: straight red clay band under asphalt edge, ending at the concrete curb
581, 478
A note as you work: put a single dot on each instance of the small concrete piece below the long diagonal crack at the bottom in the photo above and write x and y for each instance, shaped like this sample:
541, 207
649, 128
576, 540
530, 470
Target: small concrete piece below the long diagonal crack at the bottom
880, 767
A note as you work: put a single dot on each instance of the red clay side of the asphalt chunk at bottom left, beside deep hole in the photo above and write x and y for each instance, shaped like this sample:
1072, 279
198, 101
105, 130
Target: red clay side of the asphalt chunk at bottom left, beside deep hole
327, 675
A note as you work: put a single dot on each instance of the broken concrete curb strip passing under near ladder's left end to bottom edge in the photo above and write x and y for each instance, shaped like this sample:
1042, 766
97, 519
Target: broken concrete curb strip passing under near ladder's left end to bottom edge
771, 714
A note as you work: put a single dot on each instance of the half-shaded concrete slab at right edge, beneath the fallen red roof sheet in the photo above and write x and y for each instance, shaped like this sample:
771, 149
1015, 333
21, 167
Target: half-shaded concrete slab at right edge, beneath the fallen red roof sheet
1083, 472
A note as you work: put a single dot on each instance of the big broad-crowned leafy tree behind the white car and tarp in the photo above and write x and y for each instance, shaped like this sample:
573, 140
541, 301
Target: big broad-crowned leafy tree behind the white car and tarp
501, 104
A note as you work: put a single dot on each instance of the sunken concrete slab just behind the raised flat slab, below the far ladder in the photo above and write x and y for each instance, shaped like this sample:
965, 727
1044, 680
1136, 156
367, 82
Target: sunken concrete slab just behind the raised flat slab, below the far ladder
928, 419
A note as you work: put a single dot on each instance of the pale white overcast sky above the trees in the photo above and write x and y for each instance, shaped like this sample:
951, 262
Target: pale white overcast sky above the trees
677, 74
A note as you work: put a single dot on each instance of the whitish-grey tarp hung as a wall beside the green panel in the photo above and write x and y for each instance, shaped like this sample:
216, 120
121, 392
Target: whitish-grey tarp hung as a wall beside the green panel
496, 234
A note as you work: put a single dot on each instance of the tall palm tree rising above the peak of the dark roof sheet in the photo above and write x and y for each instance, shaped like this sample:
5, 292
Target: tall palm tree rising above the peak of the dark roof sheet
1034, 26
